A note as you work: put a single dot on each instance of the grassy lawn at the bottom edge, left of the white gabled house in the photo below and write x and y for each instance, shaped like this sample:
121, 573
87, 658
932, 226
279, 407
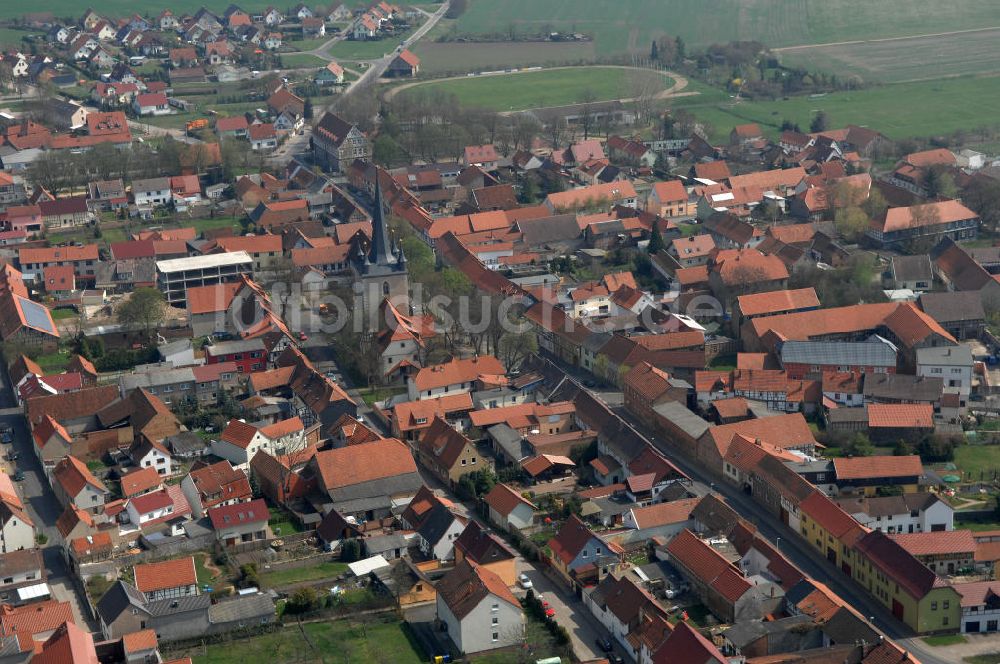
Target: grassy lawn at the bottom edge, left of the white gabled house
339, 640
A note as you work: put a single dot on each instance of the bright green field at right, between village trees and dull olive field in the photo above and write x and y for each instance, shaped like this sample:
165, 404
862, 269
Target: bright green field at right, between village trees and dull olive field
902, 110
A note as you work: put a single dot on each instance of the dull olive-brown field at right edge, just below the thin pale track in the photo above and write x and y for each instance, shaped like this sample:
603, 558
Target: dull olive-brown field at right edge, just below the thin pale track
909, 59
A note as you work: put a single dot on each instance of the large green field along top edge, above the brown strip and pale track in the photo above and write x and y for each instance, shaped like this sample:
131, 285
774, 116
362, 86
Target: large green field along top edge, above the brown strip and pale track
629, 25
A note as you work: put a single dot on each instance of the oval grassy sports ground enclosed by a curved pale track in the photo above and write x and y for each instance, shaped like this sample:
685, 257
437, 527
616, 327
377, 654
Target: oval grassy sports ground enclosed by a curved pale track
541, 89
